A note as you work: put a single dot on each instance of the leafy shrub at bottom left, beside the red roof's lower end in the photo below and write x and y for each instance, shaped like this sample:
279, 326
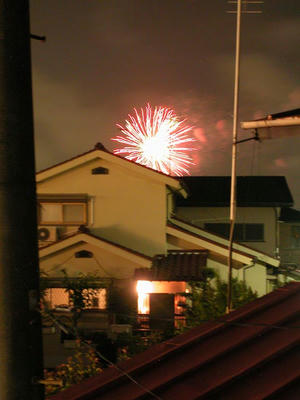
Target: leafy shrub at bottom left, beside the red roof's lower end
82, 365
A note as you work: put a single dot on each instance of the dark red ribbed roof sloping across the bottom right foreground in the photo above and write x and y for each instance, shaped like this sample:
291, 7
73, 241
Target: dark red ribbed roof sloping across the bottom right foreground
252, 353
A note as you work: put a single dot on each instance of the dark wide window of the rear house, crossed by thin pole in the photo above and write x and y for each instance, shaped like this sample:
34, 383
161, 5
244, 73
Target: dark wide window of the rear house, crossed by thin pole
242, 232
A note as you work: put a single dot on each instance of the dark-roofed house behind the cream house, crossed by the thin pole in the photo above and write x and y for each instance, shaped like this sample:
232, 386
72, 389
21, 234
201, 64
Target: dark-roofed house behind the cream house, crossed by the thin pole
259, 203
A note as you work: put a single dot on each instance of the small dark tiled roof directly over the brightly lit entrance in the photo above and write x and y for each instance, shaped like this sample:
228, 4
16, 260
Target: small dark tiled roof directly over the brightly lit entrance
177, 265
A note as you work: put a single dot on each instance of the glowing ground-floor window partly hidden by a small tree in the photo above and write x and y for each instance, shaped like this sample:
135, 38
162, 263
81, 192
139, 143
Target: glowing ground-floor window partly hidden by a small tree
58, 299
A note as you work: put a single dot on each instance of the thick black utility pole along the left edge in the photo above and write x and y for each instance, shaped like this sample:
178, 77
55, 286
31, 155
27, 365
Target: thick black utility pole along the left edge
20, 324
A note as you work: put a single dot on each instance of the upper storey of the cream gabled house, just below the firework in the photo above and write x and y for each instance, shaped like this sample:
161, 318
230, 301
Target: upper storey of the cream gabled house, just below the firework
116, 199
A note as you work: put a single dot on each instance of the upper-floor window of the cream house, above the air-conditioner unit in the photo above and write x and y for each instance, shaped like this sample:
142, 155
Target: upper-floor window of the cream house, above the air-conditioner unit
62, 213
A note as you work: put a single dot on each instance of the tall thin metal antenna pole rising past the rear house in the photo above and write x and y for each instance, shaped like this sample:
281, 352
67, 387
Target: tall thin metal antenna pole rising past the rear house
234, 155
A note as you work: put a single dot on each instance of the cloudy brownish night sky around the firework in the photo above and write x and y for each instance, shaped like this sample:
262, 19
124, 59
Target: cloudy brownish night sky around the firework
104, 57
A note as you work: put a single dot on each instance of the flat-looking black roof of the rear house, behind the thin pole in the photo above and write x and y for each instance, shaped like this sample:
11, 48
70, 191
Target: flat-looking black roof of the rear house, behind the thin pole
252, 191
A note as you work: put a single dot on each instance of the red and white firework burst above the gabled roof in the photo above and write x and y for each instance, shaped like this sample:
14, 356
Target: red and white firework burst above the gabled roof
156, 138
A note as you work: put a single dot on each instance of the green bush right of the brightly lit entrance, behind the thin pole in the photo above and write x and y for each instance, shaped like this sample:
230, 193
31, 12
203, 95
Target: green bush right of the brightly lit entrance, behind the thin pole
208, 298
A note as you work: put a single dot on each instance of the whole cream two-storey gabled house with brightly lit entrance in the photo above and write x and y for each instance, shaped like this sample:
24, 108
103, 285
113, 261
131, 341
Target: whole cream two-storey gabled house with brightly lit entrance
100, 213
